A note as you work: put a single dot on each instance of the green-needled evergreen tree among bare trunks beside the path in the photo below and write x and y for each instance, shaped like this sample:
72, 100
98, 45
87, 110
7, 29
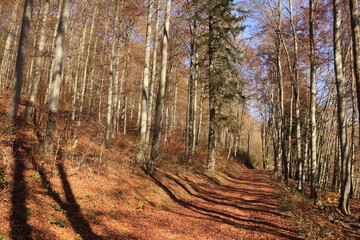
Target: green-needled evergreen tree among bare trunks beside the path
223, 20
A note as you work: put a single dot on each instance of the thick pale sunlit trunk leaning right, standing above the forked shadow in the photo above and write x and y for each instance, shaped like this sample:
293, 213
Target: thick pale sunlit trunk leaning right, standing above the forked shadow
57, 74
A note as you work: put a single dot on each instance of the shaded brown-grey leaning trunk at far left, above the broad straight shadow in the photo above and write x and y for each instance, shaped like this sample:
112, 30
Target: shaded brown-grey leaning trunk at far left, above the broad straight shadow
20, 60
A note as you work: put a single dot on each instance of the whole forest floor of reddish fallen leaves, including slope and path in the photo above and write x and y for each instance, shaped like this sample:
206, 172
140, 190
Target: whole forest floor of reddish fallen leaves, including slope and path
89, 192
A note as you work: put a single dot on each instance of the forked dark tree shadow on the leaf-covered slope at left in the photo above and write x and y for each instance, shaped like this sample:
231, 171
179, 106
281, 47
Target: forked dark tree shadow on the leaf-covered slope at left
72, 209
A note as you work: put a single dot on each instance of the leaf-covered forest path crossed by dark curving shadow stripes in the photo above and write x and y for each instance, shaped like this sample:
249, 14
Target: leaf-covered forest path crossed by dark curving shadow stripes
237, 208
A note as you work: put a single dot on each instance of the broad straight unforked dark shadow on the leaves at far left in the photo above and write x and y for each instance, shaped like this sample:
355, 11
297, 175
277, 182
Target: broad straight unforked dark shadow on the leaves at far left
20, 229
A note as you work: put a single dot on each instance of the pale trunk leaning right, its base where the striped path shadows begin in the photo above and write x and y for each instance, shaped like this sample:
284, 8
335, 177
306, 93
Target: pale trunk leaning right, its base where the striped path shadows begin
161, 93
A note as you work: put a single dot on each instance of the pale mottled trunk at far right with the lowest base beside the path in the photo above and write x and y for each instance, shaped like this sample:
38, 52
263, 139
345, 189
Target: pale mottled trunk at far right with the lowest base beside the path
342, 119
